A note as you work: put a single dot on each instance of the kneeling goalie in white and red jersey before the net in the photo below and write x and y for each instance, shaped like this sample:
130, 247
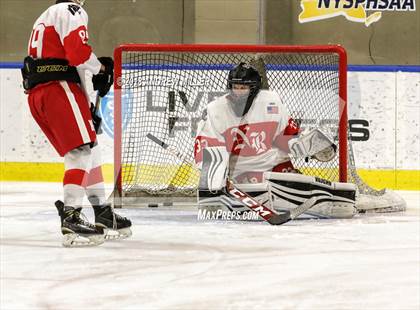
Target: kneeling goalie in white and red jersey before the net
249, 134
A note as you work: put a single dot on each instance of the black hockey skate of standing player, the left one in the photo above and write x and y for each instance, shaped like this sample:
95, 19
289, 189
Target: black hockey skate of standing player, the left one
76, 231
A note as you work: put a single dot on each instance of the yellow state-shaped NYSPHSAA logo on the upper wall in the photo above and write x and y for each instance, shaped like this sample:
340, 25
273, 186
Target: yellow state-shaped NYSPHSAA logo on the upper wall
353, 10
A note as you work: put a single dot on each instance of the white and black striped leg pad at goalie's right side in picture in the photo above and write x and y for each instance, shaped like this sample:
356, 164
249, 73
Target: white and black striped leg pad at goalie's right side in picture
334, 199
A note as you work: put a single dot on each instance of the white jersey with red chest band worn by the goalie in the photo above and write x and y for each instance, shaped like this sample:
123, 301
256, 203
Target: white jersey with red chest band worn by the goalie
257, 141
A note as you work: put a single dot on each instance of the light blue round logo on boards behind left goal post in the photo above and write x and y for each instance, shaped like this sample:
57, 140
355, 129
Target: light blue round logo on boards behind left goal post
107, 111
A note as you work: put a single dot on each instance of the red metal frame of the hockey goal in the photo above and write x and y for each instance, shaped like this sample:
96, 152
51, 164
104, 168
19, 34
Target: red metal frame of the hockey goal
140, 50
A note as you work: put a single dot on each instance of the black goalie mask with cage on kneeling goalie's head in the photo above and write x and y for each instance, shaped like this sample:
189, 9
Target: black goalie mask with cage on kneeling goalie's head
243, 96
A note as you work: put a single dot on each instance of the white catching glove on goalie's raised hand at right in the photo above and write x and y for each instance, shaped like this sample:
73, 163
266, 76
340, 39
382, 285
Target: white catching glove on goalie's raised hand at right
313, 144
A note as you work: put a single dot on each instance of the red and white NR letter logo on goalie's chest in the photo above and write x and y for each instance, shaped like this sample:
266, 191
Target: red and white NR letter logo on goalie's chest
255, 140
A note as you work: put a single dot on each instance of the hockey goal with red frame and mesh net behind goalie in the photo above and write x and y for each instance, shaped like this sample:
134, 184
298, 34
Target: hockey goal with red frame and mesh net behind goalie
164, 89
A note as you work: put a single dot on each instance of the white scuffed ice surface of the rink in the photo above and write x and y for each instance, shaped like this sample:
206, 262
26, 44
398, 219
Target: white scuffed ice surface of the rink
174, 262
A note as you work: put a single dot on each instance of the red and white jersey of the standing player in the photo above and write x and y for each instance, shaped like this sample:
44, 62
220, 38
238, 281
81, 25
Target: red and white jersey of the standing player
61, 32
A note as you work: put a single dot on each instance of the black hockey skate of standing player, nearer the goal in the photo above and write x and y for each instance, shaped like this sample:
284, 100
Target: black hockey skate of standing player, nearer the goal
115, 226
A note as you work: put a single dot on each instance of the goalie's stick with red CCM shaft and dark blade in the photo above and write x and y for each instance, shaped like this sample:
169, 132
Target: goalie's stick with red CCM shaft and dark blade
265, 213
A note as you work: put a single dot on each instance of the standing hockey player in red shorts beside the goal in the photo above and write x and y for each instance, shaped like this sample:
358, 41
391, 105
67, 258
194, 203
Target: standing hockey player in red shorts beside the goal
54, 77
